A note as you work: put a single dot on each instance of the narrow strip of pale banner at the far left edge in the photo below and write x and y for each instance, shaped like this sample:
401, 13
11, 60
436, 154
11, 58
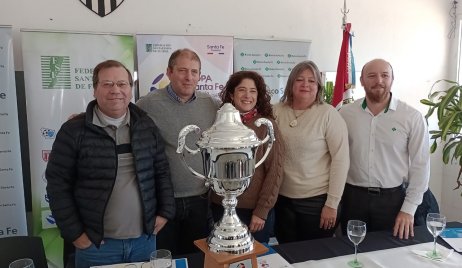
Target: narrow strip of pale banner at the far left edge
12, 206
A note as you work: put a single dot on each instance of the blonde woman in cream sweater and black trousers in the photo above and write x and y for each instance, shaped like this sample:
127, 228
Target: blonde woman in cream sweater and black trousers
316, 161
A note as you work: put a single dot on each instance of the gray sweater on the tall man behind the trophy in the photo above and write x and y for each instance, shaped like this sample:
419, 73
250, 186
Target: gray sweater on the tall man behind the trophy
170, 117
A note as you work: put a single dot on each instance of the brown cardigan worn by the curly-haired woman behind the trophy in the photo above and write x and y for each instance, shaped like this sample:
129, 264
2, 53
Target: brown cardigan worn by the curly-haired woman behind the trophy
264, 185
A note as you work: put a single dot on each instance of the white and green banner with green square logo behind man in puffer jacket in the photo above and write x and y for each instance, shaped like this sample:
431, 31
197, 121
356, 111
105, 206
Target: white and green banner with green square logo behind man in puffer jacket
58, 69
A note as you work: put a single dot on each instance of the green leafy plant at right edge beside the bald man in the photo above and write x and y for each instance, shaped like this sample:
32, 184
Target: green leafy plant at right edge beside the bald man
448, 105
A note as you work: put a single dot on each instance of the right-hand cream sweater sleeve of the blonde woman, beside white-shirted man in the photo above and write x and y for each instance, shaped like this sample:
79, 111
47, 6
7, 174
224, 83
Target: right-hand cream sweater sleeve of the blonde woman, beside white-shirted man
337, 142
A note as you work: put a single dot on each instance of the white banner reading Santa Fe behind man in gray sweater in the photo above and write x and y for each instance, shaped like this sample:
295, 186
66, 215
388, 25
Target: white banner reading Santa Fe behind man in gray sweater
153, 51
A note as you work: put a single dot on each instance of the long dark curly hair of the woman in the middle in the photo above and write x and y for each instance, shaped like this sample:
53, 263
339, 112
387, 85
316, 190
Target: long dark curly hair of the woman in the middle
263, 104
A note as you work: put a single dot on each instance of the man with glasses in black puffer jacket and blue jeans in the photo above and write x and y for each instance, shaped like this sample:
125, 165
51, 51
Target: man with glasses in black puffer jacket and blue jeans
109, 183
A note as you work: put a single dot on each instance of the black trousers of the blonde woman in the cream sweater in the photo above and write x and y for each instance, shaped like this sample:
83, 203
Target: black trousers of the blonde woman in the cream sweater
298, 219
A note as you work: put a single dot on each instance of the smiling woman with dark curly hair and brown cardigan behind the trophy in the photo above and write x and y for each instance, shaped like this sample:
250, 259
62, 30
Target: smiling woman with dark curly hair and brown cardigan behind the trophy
246, 90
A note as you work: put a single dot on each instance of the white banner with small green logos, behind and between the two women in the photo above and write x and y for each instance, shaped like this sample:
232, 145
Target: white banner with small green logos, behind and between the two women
273, 59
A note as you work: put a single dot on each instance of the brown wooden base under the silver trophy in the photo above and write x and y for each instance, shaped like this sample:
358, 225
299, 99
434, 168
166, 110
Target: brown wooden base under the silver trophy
223, 260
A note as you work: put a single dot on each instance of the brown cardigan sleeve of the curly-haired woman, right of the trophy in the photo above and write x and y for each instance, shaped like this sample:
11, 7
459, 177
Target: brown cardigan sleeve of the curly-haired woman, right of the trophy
273, 169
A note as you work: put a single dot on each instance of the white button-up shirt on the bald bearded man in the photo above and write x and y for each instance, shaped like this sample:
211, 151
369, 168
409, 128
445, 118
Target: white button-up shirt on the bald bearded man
389, 149
